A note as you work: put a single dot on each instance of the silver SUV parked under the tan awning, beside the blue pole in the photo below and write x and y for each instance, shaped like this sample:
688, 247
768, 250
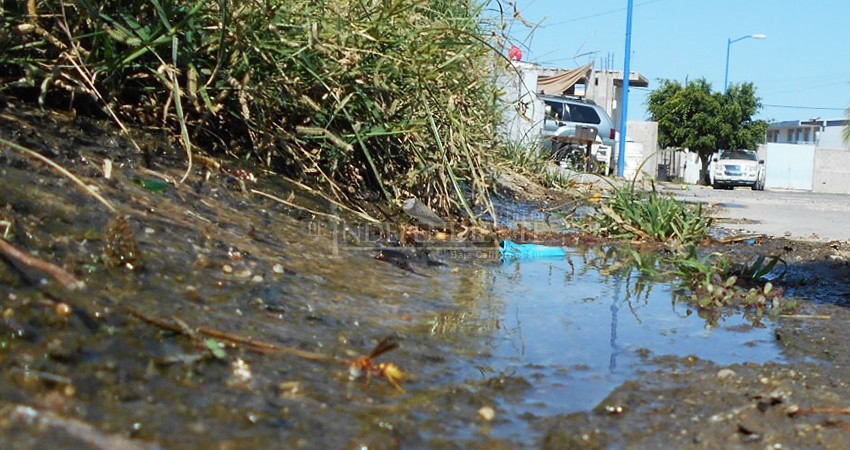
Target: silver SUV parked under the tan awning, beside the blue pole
570, 123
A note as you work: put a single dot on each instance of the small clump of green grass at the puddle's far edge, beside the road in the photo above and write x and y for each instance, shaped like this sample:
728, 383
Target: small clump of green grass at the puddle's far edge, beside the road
629, 213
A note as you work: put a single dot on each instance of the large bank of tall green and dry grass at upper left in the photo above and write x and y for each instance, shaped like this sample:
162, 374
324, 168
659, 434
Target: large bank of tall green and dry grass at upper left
394, 97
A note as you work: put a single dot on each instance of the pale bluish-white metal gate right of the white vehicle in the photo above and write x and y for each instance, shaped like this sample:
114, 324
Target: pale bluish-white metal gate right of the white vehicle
789, 166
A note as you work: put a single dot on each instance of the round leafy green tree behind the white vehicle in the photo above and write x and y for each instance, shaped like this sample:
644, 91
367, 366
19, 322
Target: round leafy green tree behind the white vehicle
694, 117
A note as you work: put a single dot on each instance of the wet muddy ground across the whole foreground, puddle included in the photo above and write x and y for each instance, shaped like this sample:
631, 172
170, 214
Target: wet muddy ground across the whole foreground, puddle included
247, 303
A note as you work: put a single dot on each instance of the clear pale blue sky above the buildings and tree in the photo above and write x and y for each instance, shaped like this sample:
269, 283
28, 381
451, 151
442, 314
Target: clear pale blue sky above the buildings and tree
801, 70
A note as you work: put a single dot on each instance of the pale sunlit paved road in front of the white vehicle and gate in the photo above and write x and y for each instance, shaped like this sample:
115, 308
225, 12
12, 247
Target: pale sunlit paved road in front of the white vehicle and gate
795, 215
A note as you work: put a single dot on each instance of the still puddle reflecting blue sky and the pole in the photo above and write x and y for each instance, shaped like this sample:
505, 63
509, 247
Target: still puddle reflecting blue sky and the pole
576, 331
